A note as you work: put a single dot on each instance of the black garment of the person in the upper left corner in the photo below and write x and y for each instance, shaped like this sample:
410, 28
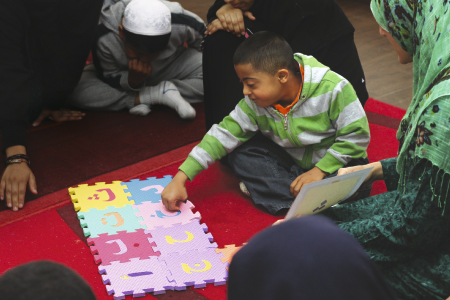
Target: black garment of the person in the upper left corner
43, 50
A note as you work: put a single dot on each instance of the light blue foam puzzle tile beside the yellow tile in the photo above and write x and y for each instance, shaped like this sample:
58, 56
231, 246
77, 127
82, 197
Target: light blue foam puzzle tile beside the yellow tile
148, 190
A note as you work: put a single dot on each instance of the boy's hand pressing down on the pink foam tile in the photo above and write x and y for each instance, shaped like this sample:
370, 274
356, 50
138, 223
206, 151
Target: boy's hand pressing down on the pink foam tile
175, 192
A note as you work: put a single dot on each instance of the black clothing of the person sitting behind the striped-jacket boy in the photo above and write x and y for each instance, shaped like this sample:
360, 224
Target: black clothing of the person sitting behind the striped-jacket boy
318, 28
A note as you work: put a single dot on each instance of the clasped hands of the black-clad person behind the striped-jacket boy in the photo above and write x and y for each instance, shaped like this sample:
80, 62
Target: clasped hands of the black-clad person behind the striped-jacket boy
232, 19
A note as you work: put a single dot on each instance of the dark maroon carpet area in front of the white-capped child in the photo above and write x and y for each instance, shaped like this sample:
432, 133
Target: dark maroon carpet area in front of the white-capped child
103, 142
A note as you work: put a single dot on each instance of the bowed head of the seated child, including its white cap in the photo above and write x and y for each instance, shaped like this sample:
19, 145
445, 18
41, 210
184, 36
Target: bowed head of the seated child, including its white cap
145, 29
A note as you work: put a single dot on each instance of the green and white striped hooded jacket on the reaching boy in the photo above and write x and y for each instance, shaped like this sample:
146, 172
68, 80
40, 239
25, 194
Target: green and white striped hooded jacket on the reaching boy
326, 128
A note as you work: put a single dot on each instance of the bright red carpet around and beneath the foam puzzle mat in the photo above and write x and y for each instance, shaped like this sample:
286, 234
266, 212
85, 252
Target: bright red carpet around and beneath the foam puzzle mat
231, 218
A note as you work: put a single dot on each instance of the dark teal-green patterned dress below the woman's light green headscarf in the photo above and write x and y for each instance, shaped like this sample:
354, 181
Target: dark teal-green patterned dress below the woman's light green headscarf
405, 234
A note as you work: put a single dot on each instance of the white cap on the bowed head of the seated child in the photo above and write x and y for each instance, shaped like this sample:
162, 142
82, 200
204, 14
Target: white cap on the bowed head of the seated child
147, 17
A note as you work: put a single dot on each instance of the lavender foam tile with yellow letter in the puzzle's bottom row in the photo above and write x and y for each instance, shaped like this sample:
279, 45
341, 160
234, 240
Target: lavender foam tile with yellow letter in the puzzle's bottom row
196, 268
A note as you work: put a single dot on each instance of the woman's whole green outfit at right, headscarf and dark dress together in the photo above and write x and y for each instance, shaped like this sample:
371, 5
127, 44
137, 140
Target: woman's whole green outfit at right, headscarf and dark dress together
406, 231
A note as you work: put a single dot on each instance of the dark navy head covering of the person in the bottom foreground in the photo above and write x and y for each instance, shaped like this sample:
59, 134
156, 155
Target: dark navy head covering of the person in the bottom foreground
305, 258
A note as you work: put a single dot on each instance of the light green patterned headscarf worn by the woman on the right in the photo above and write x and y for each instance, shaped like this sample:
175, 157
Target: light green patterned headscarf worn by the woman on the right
422, 28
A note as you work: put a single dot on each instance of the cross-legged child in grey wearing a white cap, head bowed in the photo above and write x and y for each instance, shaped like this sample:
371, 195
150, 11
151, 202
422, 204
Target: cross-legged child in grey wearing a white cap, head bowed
141, 59
